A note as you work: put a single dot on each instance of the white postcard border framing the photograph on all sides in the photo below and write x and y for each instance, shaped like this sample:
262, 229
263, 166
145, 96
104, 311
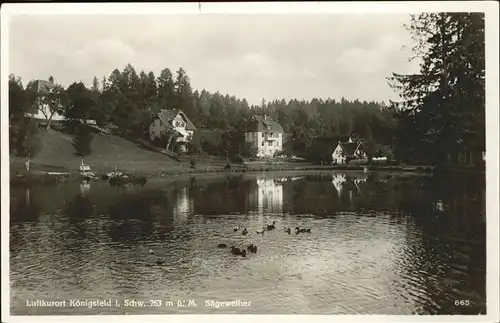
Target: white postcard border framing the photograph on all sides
299, 8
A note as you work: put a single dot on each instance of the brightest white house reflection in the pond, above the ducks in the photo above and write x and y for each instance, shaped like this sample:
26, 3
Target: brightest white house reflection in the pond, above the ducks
269, 195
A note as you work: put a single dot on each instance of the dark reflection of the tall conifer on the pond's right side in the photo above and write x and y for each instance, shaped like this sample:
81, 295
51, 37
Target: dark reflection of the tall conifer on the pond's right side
446, 211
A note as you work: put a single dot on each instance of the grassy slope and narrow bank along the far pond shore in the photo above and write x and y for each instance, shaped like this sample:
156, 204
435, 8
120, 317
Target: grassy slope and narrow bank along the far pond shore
58, 156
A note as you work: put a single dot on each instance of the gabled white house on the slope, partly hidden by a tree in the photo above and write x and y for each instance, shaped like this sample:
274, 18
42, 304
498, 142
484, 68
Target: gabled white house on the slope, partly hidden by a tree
167, 120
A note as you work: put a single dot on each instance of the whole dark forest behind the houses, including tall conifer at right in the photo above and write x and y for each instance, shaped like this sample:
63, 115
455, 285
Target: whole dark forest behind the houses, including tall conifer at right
441, 113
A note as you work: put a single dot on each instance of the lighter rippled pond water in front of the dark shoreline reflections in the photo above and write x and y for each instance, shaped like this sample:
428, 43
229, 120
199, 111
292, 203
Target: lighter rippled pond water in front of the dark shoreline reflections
365, 261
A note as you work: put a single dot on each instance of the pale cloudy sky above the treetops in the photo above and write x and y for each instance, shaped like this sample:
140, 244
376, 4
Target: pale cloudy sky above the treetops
249, 56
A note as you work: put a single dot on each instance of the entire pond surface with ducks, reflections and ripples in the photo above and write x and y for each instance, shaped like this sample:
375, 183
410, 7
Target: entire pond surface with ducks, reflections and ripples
380, 243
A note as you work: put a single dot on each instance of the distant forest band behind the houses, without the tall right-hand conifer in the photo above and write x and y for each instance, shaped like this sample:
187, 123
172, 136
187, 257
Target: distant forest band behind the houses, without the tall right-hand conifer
130, 100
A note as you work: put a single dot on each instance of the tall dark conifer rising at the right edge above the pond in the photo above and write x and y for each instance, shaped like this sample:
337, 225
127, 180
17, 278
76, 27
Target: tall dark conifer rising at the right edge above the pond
444, 102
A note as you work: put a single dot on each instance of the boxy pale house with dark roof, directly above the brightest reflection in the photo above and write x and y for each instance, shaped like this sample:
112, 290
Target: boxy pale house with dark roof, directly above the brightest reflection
266, 135
